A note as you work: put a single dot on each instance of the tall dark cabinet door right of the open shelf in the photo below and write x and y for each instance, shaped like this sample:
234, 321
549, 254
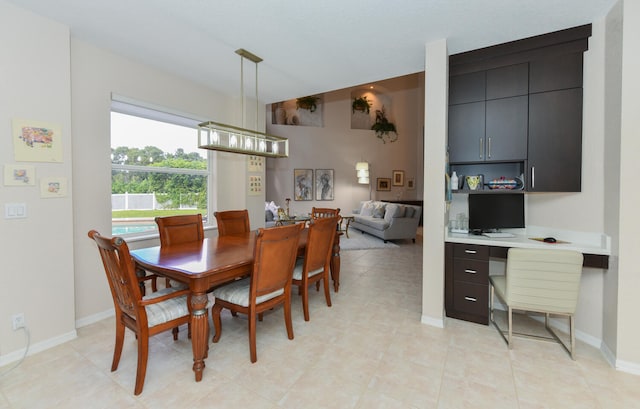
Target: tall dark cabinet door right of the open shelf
555, 141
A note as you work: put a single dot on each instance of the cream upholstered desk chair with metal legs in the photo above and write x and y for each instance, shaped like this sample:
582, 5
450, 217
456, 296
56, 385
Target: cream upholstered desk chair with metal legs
542, 281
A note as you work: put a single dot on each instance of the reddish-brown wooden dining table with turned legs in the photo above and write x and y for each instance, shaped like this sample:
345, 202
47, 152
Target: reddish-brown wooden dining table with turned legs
208, 263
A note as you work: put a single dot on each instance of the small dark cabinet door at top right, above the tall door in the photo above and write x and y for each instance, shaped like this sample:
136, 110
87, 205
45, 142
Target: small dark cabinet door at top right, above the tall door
556, 73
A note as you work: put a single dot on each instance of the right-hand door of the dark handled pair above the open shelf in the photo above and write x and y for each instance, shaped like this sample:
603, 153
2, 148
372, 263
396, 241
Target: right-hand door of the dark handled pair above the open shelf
506, 129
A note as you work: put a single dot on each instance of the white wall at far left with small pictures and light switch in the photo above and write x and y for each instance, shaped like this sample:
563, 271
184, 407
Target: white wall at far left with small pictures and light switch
36, 252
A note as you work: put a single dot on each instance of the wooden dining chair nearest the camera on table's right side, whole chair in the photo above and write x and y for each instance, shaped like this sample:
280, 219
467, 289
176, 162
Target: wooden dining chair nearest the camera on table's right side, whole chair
268, 286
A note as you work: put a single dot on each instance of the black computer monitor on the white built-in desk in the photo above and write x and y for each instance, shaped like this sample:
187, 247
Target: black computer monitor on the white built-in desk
490, 212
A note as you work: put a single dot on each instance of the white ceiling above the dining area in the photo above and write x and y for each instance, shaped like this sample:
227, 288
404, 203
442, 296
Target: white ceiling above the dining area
308, 47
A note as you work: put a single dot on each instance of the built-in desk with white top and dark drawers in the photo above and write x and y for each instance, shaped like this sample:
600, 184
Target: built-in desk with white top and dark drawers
467, 263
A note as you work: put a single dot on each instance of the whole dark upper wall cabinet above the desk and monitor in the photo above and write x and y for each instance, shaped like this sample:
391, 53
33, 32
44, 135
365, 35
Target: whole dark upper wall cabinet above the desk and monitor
521, 102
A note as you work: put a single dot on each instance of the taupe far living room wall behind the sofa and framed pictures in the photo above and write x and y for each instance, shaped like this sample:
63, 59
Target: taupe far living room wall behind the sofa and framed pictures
337, 146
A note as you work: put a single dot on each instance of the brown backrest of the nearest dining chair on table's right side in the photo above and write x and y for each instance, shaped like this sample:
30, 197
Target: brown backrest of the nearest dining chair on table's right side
273, 259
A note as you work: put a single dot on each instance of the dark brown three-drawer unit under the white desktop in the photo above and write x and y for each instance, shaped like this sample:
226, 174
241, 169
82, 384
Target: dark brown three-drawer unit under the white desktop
466, 282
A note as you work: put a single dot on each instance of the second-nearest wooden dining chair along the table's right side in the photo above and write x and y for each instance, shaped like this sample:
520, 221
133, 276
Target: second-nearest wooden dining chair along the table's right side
314, 266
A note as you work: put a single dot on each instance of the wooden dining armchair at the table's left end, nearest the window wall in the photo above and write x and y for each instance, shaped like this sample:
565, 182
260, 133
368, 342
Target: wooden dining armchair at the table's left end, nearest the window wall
144, 315
